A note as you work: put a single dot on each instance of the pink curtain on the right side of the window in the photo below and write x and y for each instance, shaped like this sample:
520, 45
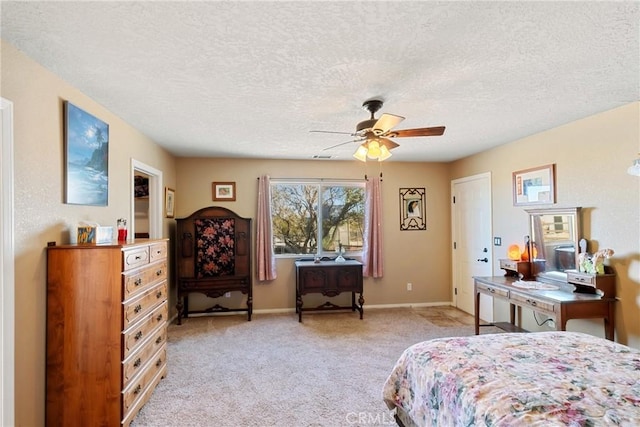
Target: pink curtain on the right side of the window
372, 250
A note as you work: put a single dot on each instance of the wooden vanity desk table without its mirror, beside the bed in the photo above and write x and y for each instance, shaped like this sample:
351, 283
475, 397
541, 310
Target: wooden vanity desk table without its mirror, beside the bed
562, 304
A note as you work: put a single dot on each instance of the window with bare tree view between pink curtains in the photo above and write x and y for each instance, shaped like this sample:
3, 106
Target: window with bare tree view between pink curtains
305, 213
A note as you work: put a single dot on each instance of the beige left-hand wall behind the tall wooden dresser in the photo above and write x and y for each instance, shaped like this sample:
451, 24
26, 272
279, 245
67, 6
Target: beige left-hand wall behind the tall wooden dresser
40, 214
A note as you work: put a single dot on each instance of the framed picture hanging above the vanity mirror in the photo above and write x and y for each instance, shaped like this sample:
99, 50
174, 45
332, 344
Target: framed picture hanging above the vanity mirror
535, 186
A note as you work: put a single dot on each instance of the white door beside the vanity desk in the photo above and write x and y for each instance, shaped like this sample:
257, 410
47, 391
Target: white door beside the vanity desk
472, 250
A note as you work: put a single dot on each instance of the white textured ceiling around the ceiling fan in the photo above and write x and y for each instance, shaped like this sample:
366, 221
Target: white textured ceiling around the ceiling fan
251, 79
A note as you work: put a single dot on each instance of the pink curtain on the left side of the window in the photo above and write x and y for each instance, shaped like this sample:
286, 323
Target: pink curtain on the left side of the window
264, 253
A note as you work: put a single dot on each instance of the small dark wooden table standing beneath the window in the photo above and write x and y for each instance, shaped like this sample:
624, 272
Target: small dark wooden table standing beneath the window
329, 278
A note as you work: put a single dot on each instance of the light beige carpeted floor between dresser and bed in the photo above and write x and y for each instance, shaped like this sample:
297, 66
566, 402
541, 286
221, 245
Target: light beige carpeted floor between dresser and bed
273, 371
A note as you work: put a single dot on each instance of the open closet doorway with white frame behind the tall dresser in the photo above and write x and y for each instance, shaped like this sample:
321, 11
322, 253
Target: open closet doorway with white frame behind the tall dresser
146, 211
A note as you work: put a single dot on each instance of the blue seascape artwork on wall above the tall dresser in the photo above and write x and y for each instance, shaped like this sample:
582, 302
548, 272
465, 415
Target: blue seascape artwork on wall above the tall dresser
86, 158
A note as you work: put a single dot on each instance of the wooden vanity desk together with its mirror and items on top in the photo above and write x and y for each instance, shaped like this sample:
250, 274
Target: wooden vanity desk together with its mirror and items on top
552, 284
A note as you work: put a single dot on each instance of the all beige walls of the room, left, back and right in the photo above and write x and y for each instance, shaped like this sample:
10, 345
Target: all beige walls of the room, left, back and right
591, 157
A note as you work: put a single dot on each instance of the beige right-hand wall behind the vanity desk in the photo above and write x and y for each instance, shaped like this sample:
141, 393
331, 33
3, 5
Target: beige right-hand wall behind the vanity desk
591, 157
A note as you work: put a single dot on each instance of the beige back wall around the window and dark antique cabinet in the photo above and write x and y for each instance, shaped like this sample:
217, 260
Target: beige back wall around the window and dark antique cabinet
419, 257
